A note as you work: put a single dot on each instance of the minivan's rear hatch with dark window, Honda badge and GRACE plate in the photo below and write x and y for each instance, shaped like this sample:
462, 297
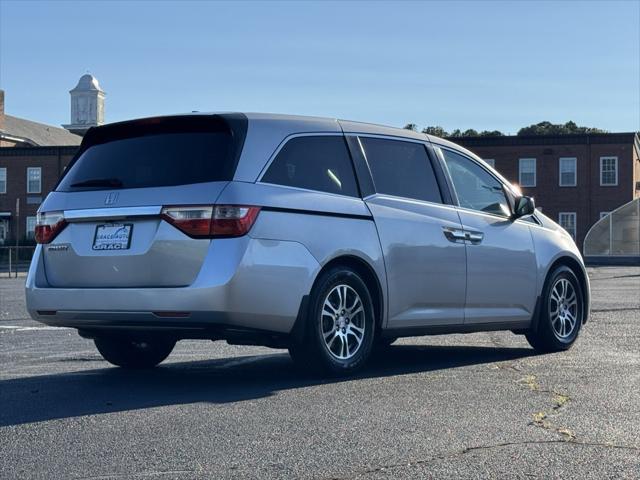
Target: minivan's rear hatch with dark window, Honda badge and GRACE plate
131, 207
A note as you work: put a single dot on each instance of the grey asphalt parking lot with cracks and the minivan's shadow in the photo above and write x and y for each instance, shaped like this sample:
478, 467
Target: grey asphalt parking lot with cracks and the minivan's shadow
471, 406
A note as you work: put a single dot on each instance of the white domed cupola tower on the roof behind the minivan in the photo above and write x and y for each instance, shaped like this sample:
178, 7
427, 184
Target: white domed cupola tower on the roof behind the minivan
87, 105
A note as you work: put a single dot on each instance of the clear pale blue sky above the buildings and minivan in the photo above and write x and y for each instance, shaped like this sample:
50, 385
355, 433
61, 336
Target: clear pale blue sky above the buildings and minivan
483, 65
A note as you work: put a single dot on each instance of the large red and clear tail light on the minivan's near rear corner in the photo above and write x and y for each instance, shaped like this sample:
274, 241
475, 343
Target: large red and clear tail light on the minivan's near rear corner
217, 221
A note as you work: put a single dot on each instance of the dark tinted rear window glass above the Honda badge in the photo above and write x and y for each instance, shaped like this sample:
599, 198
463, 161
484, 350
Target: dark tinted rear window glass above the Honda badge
156, 153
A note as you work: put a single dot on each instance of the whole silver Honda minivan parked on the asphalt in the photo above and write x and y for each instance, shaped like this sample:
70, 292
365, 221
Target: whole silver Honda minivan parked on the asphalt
330, 238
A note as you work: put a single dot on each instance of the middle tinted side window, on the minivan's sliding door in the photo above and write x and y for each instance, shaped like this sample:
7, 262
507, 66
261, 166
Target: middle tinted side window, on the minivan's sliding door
402, 169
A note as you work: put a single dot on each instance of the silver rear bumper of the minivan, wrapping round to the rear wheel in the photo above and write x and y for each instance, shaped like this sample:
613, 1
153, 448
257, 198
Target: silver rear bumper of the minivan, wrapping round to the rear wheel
243, 283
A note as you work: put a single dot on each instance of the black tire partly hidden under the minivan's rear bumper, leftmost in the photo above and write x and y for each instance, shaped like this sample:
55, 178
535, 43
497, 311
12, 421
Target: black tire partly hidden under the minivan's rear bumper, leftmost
133, 352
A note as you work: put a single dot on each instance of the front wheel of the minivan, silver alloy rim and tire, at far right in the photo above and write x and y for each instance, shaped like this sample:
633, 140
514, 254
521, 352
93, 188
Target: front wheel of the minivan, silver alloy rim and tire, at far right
561, 313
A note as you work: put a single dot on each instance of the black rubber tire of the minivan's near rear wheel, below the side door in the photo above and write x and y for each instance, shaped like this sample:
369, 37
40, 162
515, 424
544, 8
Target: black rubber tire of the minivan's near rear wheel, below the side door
312, 353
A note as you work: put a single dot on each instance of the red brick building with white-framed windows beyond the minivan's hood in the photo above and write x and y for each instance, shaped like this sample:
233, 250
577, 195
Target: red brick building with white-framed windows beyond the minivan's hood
575, 179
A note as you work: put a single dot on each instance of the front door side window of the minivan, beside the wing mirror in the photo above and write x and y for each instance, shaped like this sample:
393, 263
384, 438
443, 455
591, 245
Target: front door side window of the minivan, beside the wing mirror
475, 187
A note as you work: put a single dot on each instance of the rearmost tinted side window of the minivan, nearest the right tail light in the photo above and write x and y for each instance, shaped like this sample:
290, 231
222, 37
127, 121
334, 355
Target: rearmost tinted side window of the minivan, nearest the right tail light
315, 163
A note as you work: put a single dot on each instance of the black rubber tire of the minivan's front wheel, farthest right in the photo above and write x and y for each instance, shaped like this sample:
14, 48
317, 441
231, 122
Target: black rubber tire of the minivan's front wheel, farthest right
546, 338
